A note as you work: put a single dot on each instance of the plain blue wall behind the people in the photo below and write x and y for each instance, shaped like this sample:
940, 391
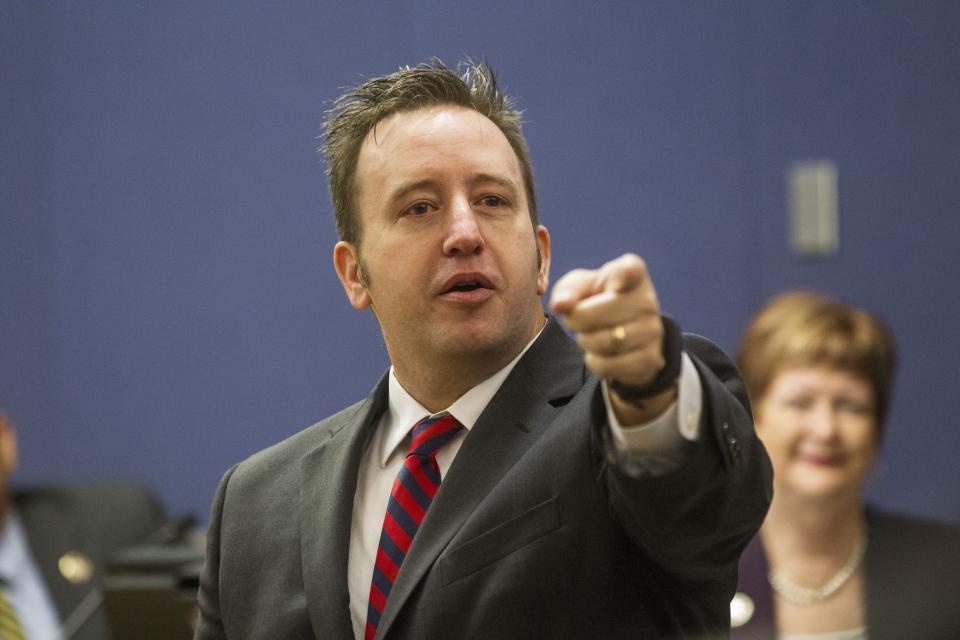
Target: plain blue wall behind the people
167, 300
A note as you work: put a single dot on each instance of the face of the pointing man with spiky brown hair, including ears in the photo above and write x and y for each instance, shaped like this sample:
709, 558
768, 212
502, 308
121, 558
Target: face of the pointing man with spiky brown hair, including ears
448, 255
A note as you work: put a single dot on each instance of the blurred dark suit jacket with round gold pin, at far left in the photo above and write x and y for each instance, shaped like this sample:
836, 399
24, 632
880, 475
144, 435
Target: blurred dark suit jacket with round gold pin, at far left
96, 519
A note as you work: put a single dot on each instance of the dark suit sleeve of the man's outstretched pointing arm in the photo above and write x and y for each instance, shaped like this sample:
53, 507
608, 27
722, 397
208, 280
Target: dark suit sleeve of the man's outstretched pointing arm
696, 520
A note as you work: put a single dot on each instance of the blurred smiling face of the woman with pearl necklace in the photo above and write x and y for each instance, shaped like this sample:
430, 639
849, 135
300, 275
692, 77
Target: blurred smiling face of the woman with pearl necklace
818, 426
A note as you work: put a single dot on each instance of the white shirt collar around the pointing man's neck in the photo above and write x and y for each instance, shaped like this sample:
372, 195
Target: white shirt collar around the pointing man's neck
405, 411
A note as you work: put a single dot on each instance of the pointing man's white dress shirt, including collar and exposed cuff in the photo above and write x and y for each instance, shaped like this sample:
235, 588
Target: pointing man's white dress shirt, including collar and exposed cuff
384, 456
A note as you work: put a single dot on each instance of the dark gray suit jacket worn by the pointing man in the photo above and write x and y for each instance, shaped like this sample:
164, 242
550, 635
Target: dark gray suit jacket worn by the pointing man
535, 532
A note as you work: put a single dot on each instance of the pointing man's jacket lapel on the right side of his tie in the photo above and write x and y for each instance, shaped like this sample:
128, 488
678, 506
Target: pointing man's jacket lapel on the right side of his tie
518, 414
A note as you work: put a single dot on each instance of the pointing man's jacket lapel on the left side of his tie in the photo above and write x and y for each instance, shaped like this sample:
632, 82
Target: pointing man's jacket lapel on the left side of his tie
329, 480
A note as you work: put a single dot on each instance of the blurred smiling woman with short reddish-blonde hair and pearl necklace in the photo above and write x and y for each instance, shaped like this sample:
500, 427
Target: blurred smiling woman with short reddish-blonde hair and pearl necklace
825, 566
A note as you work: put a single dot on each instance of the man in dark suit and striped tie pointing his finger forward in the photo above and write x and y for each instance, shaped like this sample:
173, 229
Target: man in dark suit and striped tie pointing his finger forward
501, 480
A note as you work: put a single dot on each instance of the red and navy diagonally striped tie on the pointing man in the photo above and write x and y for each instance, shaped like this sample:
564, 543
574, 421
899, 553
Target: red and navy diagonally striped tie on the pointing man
411, 495
